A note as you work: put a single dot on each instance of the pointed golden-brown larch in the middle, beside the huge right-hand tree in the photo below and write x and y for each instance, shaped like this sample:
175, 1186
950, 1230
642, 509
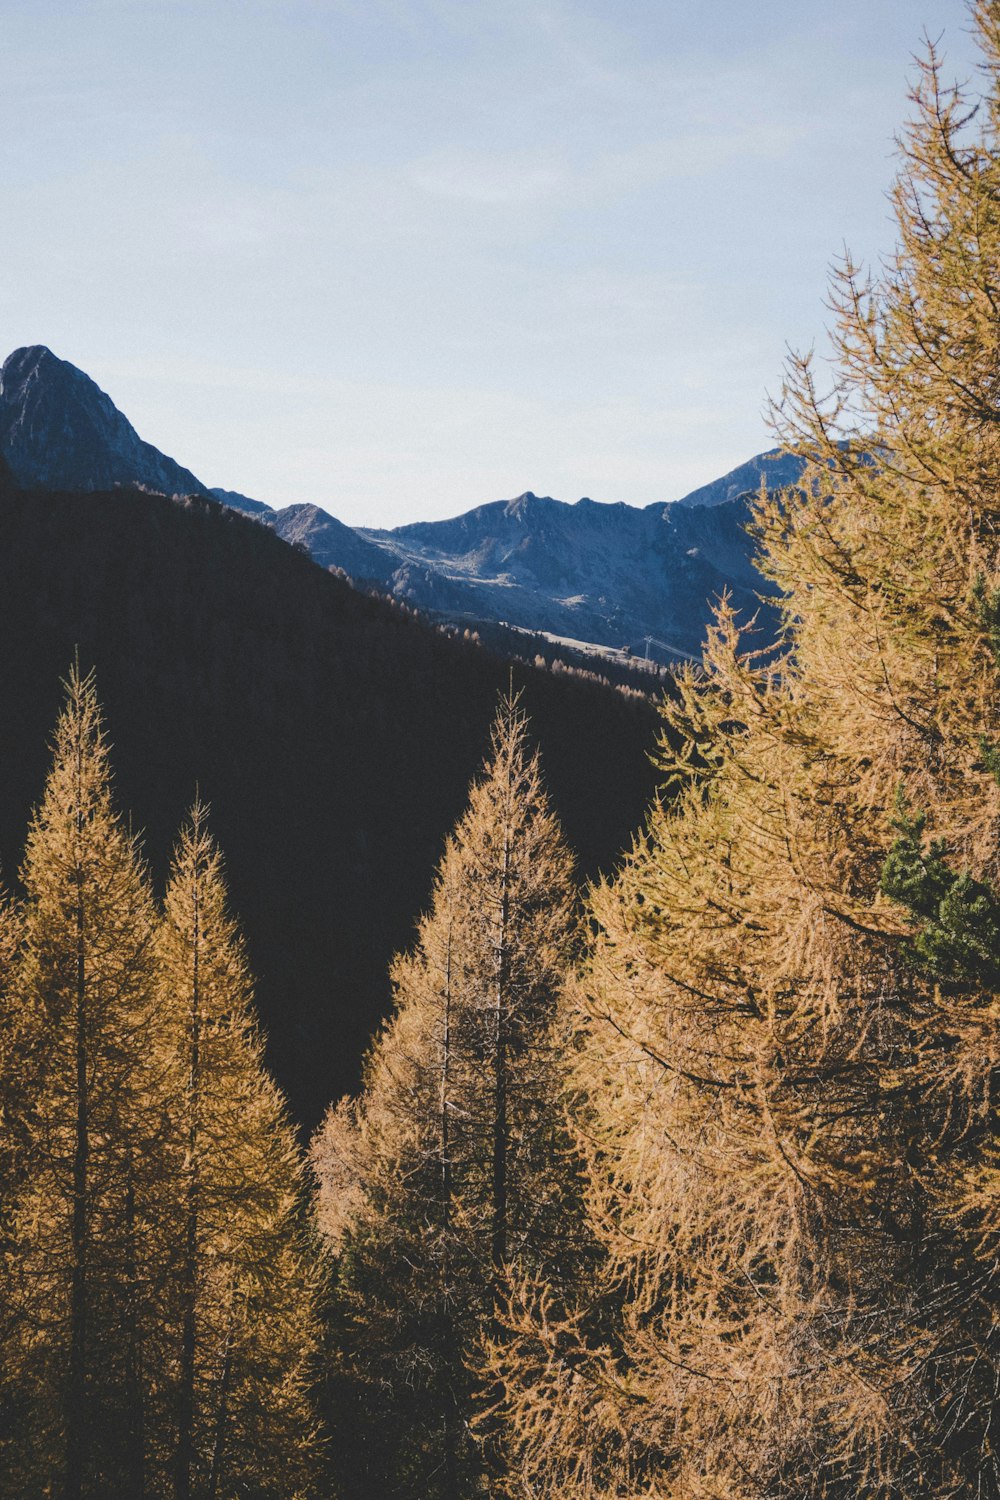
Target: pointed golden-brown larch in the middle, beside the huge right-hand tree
451, 1177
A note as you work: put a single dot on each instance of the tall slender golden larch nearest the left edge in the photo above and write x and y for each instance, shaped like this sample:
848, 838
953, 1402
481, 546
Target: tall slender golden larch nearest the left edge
85, 1258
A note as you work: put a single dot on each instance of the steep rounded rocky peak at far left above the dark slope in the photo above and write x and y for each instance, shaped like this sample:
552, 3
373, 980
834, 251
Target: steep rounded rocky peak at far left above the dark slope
59, 431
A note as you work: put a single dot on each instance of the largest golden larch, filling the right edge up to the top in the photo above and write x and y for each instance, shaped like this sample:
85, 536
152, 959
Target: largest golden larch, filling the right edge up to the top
789, 1022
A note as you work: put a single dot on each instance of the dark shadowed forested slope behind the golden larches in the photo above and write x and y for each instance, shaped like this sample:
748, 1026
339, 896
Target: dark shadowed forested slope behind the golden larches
334, 734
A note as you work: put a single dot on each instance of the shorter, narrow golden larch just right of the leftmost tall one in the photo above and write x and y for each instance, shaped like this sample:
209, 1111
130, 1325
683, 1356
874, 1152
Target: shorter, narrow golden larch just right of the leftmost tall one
245, 1280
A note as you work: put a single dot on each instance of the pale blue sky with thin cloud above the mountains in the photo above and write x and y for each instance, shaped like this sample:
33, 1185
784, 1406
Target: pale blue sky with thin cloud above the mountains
404, 257
